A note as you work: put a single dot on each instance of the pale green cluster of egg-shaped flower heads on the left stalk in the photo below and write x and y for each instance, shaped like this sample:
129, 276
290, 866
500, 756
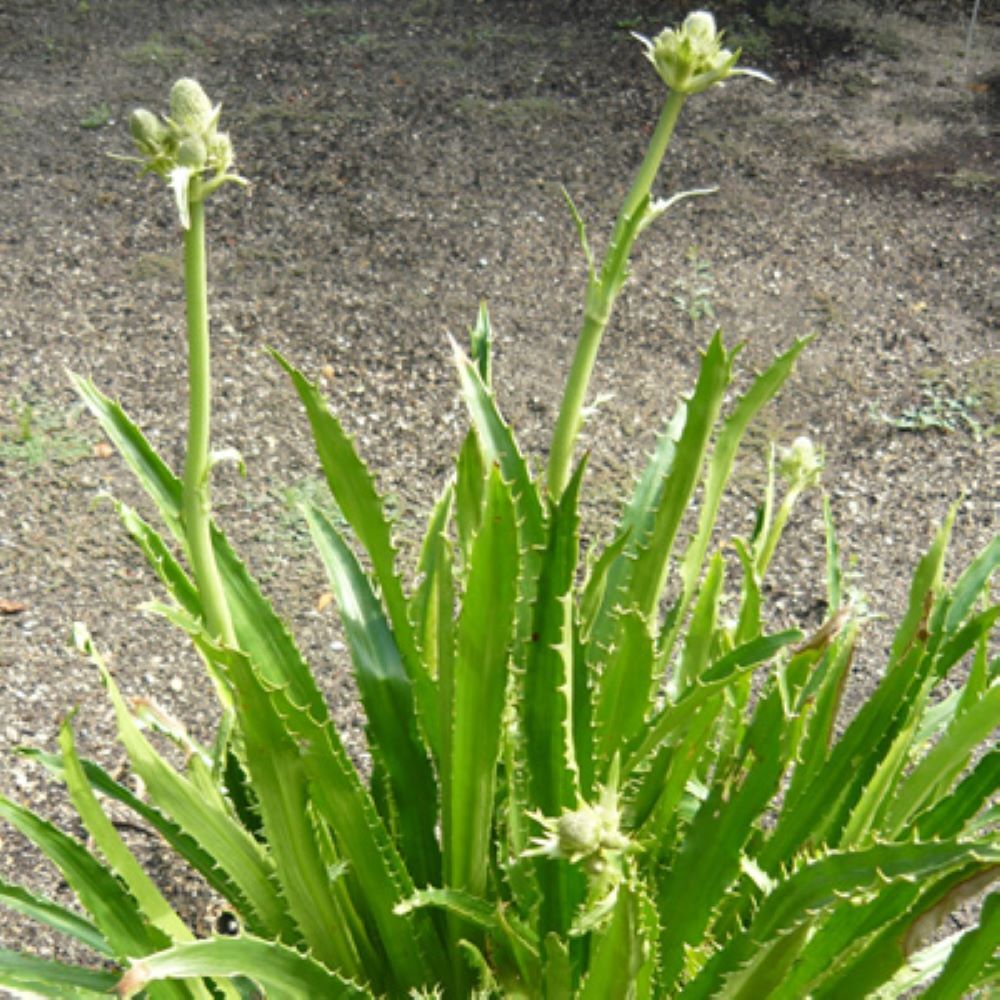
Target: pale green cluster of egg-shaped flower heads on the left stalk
185, 149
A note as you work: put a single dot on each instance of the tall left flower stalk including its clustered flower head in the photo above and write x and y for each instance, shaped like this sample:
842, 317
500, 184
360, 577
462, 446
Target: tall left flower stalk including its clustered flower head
195, 158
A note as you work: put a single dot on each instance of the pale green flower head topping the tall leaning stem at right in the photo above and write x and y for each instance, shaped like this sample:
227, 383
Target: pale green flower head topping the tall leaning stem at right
691, 58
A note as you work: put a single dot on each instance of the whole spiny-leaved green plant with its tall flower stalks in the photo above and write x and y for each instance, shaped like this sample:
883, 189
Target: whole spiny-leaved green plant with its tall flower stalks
580, 786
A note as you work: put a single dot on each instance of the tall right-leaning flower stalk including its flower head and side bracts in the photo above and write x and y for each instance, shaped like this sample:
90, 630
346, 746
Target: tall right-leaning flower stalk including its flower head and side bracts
689, 59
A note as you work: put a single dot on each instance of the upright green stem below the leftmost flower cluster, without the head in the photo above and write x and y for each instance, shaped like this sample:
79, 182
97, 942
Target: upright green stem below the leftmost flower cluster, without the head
197, 465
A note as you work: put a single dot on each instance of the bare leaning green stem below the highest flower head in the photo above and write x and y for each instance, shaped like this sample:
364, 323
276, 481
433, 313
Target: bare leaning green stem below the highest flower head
601, 294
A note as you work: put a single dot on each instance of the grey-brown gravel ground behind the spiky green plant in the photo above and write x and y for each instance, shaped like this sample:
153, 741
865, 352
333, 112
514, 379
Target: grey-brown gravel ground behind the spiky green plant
406, 161
